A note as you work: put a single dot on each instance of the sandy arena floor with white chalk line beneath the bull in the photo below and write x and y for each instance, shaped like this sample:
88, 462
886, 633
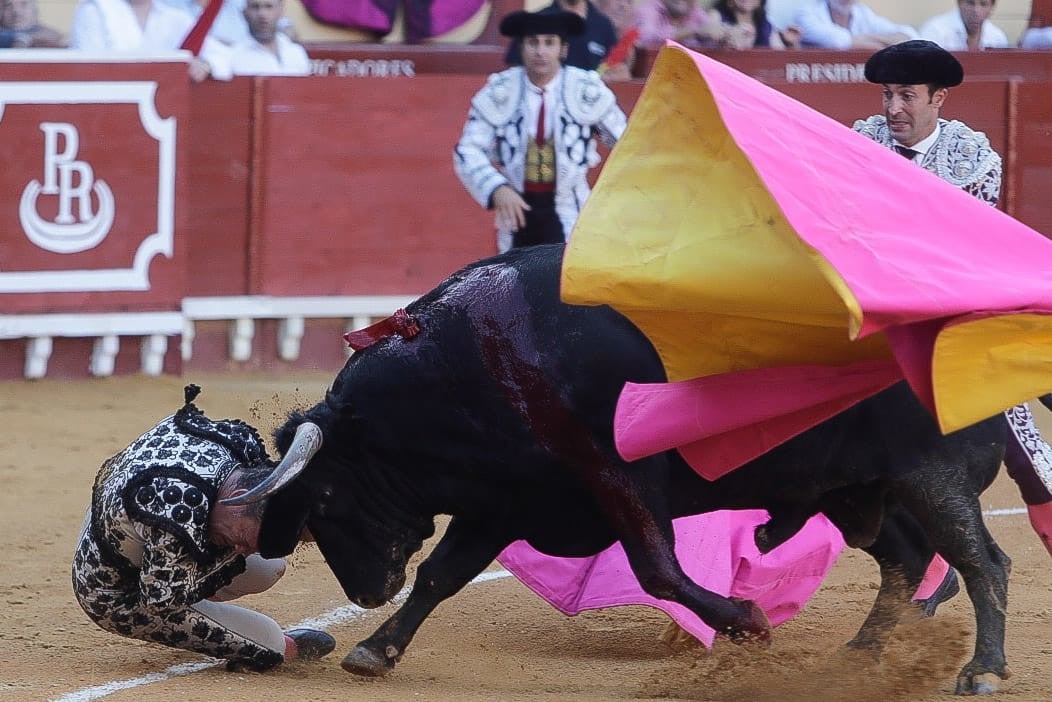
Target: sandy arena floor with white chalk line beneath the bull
494, 641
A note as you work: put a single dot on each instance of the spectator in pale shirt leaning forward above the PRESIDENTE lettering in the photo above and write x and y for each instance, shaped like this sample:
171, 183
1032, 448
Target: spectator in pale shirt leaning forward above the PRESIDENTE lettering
848, 25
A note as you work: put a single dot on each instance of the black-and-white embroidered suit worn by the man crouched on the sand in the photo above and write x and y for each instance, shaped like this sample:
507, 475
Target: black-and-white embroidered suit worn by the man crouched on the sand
145, 559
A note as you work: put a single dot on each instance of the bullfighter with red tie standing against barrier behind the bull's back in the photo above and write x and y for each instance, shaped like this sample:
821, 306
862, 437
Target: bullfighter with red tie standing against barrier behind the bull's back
531, 136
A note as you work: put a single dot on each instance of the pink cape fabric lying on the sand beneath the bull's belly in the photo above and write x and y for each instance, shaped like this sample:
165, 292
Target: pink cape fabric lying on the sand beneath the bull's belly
716, 551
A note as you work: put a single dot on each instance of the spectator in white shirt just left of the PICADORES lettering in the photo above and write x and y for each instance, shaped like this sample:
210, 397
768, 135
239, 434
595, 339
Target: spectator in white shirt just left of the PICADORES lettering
268, 52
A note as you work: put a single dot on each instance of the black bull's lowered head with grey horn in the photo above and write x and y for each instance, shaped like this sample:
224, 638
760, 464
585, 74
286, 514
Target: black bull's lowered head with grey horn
366, 554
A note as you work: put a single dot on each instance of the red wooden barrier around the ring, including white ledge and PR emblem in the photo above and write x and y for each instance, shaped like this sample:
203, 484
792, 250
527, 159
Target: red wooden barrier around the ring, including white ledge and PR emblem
262, 217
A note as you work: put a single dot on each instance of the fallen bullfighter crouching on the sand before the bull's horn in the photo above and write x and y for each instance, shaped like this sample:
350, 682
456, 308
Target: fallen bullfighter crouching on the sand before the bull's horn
159, 554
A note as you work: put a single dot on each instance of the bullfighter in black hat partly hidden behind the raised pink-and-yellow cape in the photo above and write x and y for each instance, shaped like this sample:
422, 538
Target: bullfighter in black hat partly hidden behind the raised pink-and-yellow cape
916, 77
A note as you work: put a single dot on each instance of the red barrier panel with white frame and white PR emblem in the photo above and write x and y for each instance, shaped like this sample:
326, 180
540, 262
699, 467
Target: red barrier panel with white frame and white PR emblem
102, 139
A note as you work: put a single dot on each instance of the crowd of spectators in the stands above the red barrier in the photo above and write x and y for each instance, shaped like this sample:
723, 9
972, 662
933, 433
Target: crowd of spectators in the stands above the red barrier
727, 24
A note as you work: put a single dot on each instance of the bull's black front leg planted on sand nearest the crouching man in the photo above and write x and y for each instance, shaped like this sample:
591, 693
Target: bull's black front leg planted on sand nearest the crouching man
462, 553
